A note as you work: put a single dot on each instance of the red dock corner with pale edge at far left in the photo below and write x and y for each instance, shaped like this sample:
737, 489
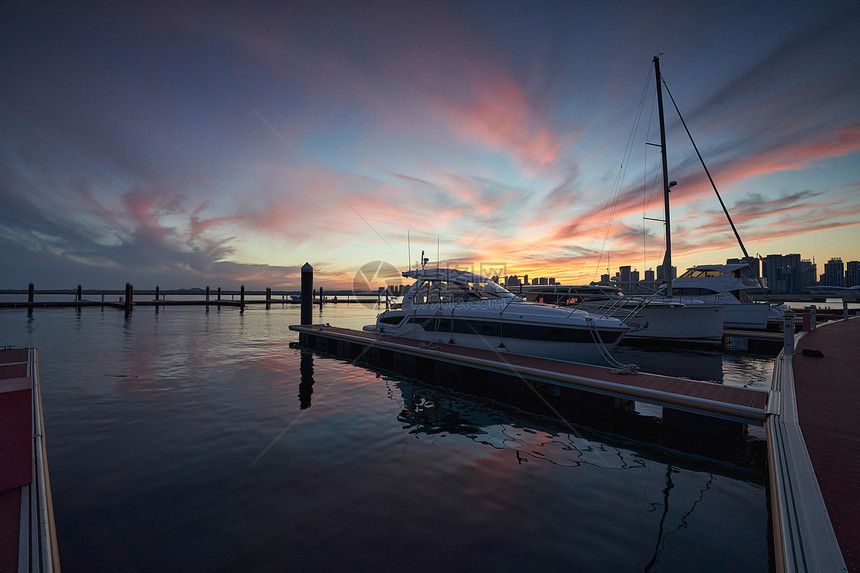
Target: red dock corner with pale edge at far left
27, 537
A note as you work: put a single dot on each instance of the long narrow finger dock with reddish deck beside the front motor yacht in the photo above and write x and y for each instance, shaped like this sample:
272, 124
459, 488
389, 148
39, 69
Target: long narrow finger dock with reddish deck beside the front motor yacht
411, 357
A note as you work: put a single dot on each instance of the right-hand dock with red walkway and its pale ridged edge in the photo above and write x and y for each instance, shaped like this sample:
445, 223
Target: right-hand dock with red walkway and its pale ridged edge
814, 451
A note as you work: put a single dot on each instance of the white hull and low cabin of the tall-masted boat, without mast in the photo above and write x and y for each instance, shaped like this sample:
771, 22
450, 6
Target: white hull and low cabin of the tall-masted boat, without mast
652, 319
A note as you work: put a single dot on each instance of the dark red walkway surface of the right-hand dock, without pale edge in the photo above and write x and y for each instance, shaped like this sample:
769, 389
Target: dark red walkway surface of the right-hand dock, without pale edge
827, 390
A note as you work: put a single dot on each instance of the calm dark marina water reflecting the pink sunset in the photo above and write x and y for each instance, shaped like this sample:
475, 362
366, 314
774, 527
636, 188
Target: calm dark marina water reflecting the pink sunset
187, 440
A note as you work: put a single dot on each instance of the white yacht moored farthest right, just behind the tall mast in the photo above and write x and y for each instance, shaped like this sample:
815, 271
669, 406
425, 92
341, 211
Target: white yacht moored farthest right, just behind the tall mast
722, 284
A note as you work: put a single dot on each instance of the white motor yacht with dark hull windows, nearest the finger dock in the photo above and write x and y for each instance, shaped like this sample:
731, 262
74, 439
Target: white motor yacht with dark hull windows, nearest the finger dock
458, 307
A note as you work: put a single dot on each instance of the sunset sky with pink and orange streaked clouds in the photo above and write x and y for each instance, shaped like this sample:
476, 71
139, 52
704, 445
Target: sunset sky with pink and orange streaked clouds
186, 144
